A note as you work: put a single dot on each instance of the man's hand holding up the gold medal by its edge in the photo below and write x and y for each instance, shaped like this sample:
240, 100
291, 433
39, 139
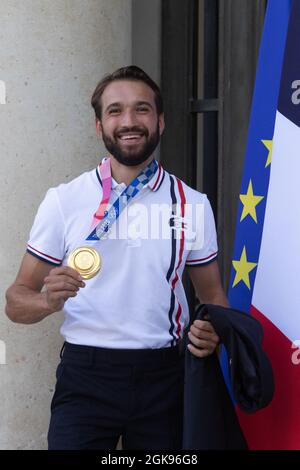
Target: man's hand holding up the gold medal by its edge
61, 284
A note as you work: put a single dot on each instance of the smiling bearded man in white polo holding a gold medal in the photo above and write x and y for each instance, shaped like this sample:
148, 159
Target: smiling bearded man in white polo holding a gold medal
121, 371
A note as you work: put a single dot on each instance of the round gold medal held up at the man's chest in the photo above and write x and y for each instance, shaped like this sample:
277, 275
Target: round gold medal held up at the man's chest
86, 261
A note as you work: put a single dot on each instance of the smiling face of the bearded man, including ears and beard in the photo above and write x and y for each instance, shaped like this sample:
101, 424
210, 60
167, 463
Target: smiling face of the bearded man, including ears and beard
130, 126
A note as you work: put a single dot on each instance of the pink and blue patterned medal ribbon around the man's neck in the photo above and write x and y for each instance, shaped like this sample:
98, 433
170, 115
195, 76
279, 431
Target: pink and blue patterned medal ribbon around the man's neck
103, 219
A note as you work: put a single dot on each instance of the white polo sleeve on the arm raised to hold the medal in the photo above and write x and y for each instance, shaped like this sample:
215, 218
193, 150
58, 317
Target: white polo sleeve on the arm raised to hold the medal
46, 239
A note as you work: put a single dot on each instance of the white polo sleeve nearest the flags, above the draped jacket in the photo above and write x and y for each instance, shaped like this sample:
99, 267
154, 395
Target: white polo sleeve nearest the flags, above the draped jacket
204, 249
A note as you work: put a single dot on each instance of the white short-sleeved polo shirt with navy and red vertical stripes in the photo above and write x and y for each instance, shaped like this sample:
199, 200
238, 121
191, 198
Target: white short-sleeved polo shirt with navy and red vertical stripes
137, 300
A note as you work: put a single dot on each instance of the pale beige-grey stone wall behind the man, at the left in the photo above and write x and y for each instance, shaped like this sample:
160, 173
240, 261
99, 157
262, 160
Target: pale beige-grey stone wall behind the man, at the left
52, 54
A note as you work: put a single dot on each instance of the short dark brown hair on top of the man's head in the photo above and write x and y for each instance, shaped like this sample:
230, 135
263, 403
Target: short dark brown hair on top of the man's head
133, 73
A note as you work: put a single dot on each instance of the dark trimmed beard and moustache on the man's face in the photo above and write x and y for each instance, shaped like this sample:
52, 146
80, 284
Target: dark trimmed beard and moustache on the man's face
132, 156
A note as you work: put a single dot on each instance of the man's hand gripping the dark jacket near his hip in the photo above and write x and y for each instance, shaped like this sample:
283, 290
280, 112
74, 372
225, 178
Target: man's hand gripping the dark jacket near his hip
203, 338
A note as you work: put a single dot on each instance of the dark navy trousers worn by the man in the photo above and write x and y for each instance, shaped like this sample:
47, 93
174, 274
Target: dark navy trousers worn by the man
102, 394
